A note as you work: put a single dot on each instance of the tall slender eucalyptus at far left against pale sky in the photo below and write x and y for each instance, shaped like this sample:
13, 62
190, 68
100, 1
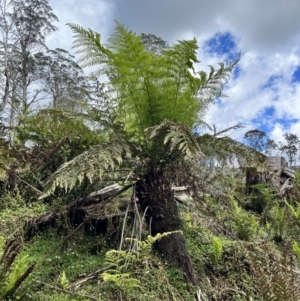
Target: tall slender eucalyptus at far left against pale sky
24, 26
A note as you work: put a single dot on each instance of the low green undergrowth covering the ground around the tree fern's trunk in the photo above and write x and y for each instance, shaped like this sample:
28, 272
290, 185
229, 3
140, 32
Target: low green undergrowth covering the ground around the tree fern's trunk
238, 252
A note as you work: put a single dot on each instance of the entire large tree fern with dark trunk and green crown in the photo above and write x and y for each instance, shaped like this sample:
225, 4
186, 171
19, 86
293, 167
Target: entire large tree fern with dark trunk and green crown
159, 102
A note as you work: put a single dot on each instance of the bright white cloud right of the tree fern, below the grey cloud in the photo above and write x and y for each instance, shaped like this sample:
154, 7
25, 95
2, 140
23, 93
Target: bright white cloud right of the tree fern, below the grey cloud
248, 100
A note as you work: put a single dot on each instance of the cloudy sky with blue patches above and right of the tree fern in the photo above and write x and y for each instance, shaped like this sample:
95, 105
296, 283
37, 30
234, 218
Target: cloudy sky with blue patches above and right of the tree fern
264, 92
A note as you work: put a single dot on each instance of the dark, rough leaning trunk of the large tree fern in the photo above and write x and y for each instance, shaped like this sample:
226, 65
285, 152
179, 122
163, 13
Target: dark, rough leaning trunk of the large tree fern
155, 194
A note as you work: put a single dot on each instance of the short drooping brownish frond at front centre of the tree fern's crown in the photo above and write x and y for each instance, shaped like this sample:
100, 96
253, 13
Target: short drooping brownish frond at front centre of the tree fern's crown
177, 136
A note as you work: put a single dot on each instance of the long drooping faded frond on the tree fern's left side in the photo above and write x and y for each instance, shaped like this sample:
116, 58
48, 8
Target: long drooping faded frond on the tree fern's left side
89, 164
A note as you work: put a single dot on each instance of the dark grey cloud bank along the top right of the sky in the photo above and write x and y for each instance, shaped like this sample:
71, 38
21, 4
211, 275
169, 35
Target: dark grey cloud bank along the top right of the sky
262, 25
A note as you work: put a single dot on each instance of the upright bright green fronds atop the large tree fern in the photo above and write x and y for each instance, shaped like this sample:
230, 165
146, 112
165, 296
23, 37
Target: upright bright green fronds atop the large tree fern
151, 88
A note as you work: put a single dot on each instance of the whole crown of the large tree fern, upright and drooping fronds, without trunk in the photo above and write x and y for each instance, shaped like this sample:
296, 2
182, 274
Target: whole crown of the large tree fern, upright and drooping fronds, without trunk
158, 101
